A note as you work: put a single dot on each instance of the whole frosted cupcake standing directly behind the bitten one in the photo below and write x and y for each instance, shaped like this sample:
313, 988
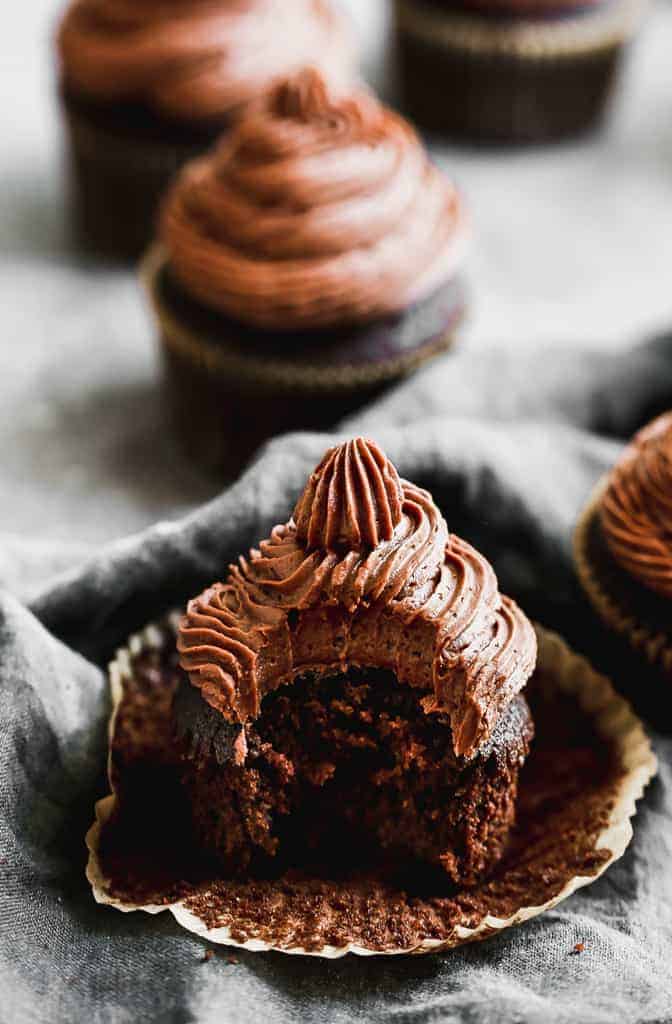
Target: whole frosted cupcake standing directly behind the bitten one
306, 265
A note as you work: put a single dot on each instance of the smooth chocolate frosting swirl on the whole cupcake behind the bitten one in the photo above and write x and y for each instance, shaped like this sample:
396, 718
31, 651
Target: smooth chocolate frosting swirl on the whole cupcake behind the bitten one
319, 210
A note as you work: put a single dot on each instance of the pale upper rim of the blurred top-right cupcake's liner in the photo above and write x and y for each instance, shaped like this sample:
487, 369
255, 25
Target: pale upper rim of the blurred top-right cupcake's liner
608, 26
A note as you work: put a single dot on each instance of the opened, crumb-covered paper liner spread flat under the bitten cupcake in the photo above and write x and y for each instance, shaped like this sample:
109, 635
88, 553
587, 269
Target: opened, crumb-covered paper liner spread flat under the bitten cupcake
590, 765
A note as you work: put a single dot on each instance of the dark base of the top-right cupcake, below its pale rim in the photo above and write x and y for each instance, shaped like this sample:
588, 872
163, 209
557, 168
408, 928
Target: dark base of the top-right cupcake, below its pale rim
490, 99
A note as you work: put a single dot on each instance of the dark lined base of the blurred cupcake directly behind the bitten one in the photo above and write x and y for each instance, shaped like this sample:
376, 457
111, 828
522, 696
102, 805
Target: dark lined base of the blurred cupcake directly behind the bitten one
232, 388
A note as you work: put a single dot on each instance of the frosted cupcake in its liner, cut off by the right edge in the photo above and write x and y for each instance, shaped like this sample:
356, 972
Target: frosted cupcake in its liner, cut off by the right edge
623, 546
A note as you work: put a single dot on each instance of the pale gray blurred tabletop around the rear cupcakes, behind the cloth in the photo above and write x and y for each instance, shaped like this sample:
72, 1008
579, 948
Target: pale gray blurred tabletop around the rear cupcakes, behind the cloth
573, 246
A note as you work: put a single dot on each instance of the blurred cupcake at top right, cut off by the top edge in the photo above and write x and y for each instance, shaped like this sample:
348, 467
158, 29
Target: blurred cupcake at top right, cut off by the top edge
512, 71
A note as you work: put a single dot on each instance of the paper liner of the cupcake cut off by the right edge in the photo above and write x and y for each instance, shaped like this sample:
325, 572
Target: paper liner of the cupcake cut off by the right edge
617, 613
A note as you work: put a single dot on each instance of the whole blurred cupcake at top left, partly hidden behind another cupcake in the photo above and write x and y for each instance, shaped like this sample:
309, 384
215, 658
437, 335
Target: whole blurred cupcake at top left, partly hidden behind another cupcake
148, 87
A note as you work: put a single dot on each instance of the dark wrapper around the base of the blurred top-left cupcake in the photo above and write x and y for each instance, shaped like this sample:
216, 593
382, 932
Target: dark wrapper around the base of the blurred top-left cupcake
117, 184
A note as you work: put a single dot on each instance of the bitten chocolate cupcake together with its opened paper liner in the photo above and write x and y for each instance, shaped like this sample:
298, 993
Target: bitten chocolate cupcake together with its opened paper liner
334, 757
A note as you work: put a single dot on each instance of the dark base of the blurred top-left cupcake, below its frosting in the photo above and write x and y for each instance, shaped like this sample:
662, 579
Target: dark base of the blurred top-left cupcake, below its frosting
121, 162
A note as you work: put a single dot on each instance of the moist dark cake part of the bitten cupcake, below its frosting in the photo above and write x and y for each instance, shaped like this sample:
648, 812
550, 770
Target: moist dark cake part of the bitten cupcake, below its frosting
346, 771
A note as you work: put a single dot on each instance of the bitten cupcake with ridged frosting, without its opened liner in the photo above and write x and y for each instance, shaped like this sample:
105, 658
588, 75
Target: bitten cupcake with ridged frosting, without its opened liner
357, 685
